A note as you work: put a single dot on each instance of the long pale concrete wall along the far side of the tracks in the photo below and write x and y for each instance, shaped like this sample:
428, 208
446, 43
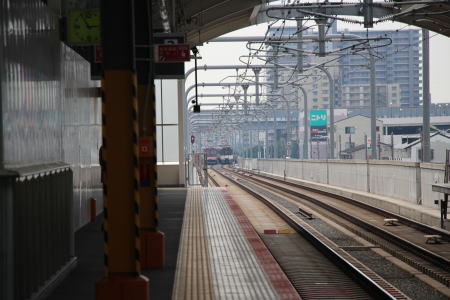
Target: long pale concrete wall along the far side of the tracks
407, 181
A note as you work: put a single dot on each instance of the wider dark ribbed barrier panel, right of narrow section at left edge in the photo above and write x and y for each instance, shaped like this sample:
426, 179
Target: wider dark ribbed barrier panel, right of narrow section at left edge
43, 243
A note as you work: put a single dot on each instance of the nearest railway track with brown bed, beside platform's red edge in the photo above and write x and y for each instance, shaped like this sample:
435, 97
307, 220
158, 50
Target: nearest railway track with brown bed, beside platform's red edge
318, 277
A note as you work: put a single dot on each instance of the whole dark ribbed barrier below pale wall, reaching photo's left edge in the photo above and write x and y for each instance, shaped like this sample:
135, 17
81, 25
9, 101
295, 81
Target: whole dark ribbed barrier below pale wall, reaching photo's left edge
37, 236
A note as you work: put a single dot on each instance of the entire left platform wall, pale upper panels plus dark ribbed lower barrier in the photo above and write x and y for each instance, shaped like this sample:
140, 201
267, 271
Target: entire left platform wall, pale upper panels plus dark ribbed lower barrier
48, 117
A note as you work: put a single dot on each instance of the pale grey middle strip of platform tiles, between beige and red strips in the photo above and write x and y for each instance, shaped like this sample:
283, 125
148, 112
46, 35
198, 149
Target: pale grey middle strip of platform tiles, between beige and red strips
236, 270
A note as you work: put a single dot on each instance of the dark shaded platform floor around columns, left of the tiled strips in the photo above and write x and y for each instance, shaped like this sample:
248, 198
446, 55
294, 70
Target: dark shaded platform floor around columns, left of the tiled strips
80, 284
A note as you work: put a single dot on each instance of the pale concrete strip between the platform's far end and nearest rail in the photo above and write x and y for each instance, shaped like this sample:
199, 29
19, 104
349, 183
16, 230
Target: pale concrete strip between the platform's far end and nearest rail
260, 216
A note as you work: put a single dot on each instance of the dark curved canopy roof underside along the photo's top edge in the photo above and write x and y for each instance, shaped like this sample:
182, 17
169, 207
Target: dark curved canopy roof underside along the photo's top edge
203, 20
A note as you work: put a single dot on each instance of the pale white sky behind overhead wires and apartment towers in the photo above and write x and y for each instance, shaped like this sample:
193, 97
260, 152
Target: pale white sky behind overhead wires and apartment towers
228, 54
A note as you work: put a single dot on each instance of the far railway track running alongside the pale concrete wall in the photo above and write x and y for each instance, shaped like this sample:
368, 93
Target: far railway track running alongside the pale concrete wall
406, 242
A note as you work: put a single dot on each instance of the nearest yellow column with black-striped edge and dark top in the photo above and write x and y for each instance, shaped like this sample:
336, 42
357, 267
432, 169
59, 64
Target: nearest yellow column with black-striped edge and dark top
122, 280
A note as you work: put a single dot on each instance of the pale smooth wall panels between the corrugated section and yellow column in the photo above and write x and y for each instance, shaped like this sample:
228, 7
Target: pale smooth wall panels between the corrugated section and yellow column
80, 132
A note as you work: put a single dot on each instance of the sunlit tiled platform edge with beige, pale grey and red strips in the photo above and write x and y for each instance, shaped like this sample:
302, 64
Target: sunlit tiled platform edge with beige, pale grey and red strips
221, 256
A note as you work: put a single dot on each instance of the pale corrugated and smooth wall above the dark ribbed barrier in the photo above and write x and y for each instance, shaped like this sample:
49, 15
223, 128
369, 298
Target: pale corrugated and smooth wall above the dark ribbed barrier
49, 114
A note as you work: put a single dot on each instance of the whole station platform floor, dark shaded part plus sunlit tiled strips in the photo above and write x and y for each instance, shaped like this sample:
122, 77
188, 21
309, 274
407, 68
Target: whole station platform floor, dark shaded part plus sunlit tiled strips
212, 252
